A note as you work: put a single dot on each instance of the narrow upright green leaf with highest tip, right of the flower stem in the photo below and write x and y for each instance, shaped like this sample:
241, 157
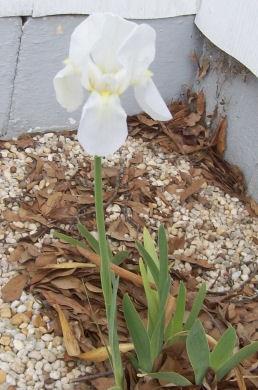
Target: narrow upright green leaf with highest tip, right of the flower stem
163, 257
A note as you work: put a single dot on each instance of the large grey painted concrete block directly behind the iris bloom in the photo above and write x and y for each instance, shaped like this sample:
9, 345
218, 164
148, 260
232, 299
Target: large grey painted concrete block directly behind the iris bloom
44, 46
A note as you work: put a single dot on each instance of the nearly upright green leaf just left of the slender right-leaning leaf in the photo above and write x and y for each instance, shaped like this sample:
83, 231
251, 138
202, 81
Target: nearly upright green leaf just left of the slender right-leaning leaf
176, 323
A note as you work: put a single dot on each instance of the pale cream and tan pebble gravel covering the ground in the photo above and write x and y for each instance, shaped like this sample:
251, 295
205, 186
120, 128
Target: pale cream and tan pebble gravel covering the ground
222, 233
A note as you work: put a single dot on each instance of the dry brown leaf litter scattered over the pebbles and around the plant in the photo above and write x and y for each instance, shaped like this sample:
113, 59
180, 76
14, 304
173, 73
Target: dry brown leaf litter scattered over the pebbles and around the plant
66, 278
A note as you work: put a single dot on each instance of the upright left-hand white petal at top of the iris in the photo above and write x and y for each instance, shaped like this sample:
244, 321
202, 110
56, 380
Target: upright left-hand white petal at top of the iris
84, 37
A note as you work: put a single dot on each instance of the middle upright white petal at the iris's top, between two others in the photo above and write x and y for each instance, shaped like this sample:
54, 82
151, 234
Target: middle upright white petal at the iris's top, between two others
105, 52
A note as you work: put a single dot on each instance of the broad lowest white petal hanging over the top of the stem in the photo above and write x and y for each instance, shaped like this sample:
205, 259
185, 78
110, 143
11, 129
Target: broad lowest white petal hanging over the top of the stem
103, 127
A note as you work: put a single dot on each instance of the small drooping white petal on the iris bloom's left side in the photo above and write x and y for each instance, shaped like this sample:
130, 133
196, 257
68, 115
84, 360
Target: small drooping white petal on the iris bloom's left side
69, 92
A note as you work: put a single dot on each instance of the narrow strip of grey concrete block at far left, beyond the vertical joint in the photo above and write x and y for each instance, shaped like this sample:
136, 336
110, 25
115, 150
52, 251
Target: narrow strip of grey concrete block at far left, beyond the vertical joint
10, 33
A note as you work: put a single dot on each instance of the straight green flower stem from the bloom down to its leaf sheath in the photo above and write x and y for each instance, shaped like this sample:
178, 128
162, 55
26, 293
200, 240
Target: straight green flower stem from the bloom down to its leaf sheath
105, 272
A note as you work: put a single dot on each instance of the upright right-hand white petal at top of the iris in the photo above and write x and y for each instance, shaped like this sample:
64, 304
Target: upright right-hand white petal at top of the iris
138, 51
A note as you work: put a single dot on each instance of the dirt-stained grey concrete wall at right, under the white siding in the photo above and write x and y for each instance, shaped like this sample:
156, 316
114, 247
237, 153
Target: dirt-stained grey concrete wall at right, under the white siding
233, 88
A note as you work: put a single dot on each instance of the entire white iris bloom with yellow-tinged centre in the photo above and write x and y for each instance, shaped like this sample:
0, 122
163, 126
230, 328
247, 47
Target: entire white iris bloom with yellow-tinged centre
107, 55
